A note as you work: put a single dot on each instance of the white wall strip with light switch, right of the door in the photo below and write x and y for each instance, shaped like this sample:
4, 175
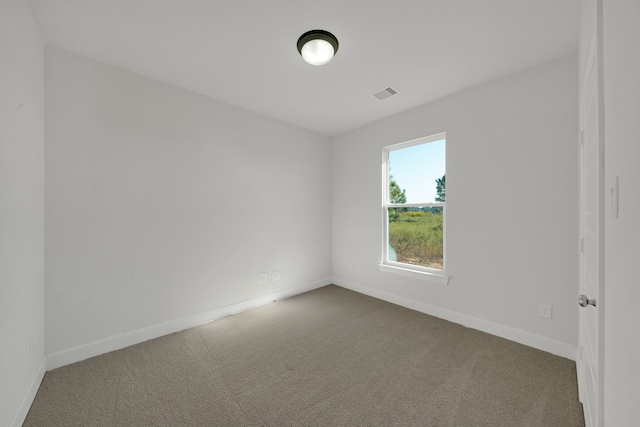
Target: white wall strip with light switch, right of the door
621, 70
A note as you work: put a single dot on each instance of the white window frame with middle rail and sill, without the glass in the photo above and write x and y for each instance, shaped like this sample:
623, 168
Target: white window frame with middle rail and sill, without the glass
416, 271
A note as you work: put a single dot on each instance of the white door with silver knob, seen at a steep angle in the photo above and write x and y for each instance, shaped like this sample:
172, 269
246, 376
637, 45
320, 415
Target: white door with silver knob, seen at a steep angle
590, 360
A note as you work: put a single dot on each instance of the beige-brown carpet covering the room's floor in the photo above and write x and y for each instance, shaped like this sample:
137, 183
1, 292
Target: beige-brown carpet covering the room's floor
330, 357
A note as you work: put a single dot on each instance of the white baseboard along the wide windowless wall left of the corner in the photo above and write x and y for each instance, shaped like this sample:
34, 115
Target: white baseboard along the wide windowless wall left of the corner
95, 348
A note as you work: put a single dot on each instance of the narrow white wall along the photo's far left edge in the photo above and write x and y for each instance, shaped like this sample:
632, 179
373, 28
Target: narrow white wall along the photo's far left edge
21, 211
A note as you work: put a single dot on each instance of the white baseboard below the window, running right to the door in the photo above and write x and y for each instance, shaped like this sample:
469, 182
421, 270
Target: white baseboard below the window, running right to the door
532, 340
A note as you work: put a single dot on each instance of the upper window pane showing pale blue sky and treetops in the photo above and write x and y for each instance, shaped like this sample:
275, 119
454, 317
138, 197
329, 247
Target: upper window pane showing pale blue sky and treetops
415, 172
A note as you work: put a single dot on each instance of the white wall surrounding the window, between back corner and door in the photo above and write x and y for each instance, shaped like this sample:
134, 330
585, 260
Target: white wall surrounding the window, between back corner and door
512, 207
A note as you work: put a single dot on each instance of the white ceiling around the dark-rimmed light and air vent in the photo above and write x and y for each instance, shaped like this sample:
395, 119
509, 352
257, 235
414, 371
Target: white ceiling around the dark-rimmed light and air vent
244, 51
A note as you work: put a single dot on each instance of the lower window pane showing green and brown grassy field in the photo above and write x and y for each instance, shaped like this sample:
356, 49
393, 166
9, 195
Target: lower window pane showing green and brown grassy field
416, 236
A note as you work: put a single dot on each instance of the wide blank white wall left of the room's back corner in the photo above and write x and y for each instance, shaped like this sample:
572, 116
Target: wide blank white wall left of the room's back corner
163, 204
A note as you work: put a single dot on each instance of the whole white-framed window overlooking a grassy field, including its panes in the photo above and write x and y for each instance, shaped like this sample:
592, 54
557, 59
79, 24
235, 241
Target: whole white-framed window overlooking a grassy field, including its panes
414, 206
